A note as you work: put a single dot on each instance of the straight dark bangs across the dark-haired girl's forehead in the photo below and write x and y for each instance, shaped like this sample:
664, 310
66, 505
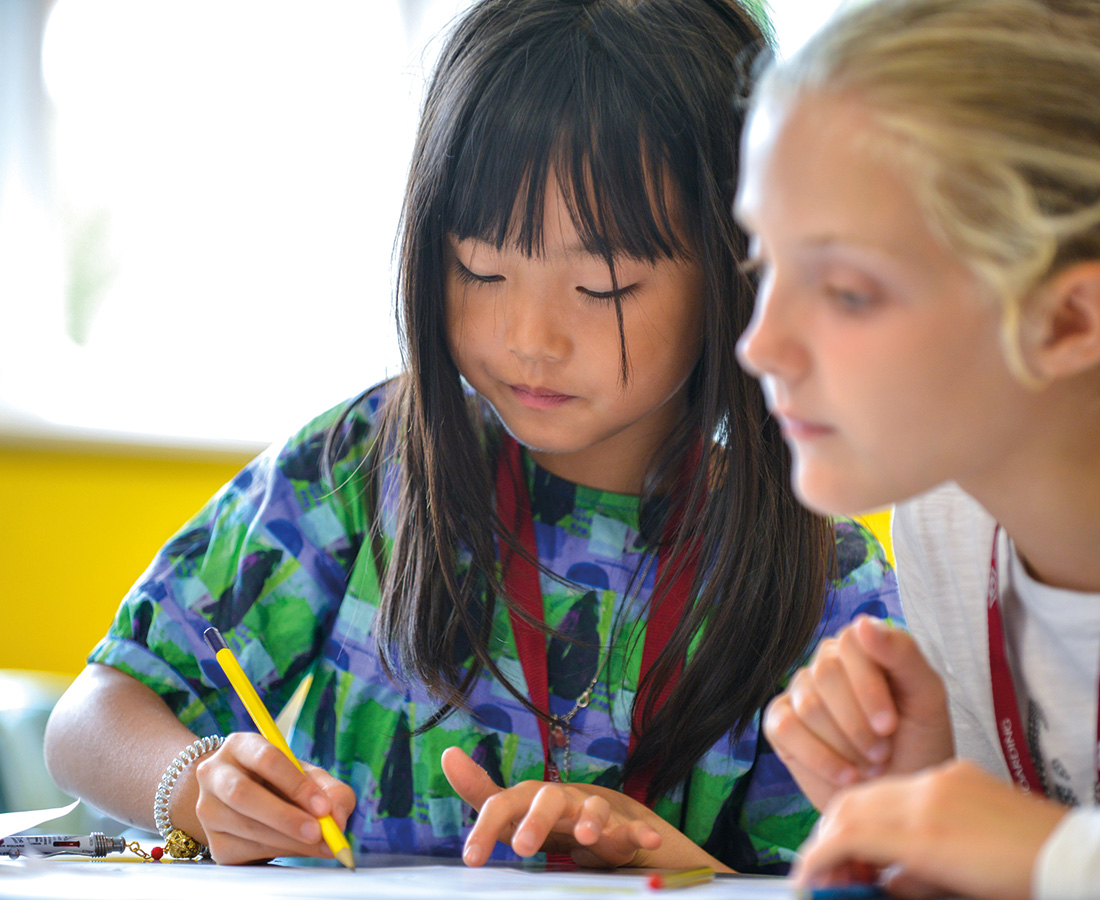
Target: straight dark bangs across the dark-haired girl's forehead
624, 192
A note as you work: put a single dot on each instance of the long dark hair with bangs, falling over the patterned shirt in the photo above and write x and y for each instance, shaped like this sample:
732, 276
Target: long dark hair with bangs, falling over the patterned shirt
632, 104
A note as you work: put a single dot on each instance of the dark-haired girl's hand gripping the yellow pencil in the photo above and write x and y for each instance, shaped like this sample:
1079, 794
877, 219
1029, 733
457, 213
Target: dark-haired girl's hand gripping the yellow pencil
254, 804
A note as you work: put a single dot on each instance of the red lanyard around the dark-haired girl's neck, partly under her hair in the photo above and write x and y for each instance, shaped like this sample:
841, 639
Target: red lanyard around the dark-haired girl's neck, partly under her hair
522, 583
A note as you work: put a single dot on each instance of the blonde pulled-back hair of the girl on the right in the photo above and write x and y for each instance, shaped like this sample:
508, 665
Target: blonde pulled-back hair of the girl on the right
997, 105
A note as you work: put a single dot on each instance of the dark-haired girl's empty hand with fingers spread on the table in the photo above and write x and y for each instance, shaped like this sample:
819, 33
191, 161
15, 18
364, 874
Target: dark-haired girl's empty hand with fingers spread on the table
598, 827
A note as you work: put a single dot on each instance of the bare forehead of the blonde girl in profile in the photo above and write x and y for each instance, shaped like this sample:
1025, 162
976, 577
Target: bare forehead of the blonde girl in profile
821, 179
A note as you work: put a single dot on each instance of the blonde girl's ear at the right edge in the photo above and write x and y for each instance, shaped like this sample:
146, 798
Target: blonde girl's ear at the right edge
1061, 331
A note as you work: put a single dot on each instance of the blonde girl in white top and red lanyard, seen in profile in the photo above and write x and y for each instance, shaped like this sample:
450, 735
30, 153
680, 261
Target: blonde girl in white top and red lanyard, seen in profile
921, 184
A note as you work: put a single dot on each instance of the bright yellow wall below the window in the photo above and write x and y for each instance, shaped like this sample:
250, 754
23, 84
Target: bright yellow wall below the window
79, 528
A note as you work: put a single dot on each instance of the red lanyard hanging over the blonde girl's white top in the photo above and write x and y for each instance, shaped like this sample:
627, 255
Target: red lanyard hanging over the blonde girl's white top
1009, 726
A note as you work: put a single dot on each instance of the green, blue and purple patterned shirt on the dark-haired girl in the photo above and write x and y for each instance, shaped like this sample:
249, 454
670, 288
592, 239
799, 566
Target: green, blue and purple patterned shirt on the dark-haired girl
281, 563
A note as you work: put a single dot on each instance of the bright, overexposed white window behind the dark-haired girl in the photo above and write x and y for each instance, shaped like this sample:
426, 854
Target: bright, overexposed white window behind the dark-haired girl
199, 206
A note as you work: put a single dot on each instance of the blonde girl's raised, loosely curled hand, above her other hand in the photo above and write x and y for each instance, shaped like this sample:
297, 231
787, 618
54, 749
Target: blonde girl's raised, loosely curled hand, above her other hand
867, 705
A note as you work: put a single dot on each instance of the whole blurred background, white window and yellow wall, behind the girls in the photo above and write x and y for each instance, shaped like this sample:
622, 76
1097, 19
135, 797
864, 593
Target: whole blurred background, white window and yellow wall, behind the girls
199, 204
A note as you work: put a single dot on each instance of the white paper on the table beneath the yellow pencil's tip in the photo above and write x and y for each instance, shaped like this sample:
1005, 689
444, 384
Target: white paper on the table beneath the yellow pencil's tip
64, 880
